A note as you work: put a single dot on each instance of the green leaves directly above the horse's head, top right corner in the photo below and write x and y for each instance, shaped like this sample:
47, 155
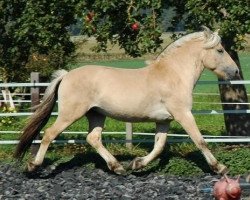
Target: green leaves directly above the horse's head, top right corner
232, 17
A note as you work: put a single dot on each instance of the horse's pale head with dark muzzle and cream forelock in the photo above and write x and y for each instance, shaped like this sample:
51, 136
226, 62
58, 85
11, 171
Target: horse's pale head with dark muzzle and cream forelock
216, 58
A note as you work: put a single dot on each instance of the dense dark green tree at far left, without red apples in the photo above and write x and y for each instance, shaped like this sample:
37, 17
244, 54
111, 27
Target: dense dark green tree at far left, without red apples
29, 26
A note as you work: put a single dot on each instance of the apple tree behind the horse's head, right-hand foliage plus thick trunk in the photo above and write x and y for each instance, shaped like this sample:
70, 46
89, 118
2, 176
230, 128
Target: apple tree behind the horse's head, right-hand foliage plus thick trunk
232, 17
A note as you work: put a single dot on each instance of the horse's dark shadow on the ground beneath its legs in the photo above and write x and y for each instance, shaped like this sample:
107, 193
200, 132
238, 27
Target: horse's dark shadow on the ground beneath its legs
92, 161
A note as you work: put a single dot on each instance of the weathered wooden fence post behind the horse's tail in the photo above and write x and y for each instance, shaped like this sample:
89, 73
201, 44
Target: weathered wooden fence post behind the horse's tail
35, 100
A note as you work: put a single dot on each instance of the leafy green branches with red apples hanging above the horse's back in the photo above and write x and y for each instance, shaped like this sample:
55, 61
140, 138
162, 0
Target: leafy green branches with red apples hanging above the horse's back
134, 25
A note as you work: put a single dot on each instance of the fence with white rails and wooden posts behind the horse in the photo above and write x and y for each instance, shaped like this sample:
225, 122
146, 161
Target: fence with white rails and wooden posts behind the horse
35, 95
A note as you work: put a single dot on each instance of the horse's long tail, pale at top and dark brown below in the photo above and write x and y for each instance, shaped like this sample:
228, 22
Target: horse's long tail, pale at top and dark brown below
40, 117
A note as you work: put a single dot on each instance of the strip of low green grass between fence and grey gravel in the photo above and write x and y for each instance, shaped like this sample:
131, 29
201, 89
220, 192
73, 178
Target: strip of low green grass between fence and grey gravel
176, 159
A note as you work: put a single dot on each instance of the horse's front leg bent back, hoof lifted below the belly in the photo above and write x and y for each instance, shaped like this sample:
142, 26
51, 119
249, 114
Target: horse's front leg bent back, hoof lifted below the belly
160, 141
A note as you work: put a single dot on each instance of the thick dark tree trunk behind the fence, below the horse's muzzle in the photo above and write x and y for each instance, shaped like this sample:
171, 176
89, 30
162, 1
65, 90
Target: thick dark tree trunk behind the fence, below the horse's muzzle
236, 124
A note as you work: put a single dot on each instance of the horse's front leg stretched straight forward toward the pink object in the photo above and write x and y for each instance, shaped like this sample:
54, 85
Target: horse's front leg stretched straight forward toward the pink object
186, 119
